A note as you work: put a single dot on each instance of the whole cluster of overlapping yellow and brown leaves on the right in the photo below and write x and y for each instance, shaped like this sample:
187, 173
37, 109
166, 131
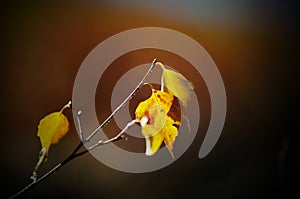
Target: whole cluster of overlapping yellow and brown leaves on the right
160, 114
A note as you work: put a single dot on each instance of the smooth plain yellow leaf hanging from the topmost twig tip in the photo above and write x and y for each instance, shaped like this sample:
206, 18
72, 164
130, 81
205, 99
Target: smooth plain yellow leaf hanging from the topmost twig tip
177, 84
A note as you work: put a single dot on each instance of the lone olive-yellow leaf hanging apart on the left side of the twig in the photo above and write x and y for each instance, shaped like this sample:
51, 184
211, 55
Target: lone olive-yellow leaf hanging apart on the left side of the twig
50, 130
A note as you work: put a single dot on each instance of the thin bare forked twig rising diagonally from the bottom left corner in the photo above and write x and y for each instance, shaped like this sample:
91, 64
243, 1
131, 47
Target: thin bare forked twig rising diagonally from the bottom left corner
75, 152
